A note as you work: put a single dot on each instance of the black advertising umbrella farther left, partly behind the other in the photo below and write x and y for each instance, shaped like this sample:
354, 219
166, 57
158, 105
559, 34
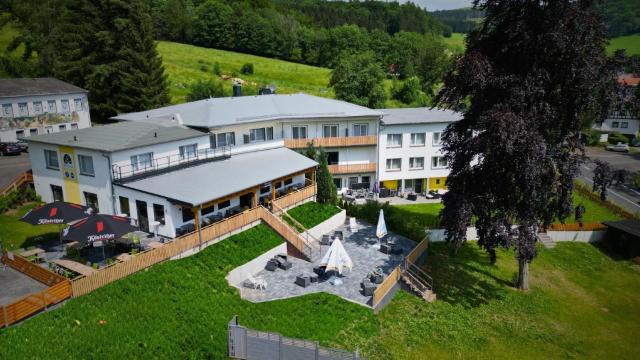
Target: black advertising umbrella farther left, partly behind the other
57, 212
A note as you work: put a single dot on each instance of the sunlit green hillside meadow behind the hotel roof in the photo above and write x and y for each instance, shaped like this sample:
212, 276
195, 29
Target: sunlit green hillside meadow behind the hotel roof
184, 64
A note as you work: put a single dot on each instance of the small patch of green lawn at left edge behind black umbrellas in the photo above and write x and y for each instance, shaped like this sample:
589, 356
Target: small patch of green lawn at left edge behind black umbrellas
17, 234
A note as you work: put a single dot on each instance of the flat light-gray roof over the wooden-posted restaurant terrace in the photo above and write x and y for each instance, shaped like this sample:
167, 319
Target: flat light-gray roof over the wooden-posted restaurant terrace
206, 182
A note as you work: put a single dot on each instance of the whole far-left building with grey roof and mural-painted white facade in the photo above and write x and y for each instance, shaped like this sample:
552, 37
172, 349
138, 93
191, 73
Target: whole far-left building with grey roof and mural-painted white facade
40, 106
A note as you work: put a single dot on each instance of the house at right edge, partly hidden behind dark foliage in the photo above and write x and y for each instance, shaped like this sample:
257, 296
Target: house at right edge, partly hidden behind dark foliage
621, 119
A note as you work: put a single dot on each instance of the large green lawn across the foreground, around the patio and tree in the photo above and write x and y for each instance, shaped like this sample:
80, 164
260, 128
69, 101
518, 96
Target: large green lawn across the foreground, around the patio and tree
581, 304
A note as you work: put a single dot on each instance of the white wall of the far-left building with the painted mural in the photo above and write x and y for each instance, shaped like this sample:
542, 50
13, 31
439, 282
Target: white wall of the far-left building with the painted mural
8, 134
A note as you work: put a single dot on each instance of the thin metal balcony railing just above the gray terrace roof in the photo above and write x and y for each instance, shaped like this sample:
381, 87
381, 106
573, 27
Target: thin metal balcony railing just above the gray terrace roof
165, 164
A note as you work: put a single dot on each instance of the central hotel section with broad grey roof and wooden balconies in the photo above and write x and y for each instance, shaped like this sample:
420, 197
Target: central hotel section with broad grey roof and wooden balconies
348, 132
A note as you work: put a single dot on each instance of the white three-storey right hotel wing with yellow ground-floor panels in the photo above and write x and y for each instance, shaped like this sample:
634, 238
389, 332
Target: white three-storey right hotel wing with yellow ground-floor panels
409, 149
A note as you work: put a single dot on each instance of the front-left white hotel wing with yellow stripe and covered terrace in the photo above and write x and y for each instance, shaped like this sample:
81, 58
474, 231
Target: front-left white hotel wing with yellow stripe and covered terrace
163, 176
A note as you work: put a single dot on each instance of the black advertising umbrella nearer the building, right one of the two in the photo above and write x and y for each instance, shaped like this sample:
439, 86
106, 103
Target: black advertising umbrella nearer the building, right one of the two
98, 228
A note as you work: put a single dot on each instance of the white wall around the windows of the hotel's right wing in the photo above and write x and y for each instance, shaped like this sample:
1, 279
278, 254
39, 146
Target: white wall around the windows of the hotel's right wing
407, 151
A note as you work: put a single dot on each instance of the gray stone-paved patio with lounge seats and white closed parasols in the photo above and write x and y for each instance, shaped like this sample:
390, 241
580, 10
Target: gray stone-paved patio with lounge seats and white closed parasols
366, 258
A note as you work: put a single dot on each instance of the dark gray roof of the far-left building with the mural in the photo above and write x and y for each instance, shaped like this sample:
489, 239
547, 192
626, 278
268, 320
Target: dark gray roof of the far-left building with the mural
37, 86
